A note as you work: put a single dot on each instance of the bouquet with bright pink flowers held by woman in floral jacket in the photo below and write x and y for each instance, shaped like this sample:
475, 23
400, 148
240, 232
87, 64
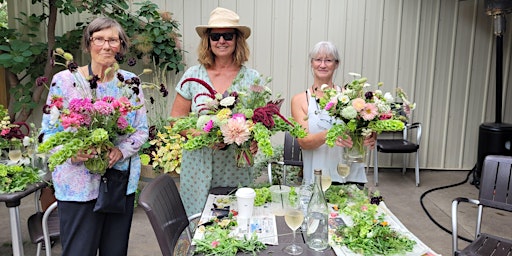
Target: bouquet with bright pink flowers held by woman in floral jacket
89, 124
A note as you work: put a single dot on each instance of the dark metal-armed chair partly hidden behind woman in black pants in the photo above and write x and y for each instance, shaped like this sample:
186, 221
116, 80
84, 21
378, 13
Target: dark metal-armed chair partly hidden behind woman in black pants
43, 227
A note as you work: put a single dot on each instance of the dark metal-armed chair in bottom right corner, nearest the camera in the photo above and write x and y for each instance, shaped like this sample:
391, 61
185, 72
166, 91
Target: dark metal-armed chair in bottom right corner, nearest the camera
495, 192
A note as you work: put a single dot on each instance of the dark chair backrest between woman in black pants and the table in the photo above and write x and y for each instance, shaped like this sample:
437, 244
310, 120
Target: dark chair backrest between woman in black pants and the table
162, 203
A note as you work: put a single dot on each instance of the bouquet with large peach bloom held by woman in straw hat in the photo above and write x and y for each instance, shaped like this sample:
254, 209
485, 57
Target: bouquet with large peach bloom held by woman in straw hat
237, 117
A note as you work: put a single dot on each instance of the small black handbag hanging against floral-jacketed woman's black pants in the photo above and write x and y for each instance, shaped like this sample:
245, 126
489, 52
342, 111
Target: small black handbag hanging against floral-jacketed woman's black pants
112, 192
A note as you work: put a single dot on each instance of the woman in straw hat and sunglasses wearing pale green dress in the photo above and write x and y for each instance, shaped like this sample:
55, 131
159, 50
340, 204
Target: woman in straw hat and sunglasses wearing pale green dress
222, 52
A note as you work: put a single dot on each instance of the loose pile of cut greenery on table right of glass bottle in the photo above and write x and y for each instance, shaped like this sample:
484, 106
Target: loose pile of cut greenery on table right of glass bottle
369, 234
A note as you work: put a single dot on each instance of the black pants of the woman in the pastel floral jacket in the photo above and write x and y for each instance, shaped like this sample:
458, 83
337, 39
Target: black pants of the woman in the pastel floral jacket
84, 232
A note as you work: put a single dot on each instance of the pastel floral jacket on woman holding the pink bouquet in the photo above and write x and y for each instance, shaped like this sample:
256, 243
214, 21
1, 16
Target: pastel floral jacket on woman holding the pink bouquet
73, 182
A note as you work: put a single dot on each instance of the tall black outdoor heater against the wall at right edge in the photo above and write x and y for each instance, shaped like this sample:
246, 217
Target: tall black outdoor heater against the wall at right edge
495, 138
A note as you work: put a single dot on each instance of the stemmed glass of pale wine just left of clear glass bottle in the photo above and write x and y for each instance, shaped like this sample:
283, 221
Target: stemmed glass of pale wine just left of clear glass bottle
293, 216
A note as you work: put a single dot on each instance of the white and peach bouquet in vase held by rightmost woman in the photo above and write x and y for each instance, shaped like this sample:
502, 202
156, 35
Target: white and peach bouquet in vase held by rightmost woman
360, 112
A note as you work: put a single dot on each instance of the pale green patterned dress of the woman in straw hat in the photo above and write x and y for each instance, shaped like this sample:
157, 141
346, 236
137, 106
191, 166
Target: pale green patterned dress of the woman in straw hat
207, 168
